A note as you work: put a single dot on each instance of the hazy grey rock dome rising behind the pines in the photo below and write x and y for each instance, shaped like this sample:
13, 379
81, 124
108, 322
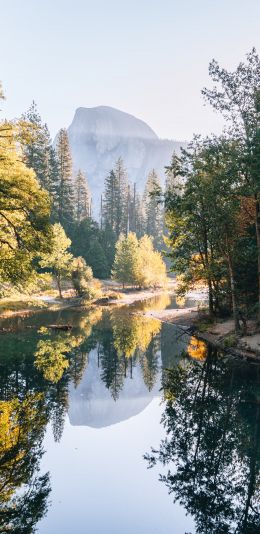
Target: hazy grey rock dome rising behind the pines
99, 136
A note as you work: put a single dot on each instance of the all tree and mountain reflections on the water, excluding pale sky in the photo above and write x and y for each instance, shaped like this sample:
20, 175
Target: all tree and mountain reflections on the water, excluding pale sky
108, 368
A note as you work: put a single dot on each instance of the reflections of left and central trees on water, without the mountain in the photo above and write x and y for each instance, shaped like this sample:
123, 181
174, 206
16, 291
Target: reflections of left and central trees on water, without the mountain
36, 369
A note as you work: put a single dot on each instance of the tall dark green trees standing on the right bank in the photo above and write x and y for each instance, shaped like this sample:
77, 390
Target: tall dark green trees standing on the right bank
212, 202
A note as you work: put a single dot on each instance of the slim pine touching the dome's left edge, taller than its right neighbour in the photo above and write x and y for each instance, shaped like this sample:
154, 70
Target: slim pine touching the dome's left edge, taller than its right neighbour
66, 188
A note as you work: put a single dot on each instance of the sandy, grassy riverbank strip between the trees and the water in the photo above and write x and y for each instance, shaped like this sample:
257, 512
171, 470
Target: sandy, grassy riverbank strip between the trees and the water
191, 319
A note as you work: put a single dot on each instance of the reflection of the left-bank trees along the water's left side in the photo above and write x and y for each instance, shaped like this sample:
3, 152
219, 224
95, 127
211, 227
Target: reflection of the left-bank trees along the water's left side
35, 371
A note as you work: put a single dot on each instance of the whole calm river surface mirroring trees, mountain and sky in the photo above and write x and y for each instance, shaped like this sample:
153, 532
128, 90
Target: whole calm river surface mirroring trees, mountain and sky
125, 425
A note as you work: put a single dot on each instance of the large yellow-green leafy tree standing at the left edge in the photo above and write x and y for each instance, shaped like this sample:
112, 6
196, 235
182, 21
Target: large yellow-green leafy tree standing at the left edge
24, 212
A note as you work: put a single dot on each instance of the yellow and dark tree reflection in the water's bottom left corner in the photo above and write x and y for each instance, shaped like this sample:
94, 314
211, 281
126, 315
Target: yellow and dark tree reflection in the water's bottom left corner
22, 426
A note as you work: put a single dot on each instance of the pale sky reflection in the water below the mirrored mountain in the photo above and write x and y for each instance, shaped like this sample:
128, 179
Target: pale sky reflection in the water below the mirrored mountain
101, 484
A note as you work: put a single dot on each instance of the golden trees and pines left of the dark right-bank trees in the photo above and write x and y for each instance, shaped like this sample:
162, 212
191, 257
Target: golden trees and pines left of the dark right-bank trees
46, 223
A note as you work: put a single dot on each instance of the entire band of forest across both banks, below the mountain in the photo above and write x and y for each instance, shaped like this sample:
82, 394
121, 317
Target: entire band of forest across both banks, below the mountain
206, 219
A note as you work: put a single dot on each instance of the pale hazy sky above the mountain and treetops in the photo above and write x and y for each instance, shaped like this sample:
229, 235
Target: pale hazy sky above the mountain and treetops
147, 57
